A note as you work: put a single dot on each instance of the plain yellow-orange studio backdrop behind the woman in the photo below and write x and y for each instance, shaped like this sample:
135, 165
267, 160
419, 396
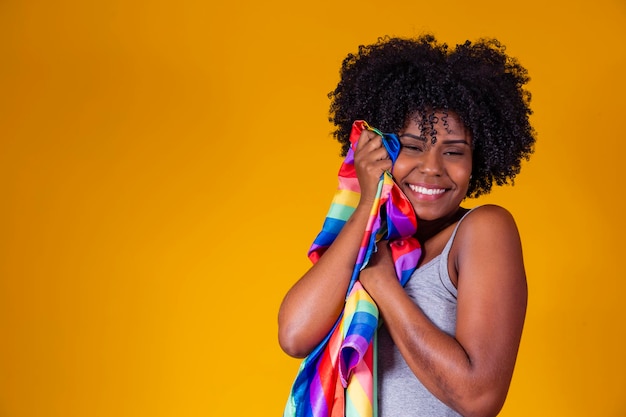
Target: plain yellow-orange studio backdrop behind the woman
164, 167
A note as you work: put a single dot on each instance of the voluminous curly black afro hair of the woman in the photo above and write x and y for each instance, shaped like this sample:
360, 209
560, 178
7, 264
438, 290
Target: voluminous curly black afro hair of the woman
395, 79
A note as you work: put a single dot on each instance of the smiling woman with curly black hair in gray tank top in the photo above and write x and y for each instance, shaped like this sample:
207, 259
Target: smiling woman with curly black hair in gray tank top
449, 338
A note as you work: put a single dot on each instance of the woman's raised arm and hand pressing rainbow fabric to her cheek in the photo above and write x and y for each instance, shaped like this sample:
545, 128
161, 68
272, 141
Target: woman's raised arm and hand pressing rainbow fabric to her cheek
314, 303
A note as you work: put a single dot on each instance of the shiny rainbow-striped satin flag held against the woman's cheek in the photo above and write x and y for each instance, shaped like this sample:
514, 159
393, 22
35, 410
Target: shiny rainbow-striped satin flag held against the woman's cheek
338, 378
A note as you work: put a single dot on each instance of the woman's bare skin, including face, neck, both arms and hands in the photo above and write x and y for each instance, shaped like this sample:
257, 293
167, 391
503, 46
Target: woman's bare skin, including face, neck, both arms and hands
471, 371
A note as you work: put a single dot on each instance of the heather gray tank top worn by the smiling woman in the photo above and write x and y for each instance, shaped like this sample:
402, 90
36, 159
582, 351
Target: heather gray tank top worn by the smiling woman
400, 393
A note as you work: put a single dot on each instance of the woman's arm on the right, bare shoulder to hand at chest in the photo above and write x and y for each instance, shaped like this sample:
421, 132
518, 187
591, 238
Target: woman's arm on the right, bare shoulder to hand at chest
470, 372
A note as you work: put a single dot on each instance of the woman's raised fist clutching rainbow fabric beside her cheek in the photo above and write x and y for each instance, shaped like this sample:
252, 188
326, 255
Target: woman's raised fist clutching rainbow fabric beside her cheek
370, 161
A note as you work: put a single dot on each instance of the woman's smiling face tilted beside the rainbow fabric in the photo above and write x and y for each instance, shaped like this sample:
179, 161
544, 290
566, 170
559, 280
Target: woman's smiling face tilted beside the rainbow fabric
434, 166
